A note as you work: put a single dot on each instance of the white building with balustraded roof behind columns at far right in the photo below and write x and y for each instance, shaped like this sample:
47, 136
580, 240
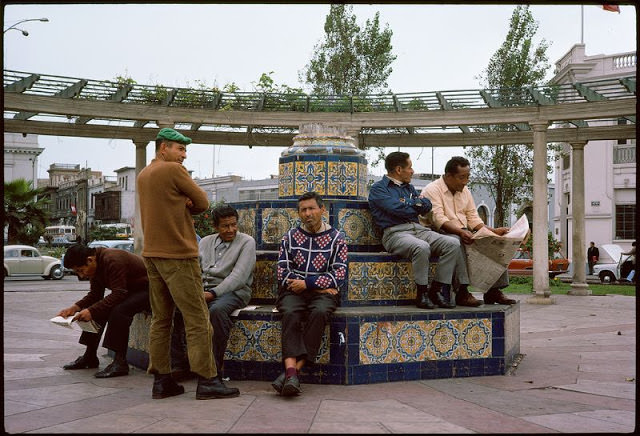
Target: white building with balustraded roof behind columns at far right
609, 166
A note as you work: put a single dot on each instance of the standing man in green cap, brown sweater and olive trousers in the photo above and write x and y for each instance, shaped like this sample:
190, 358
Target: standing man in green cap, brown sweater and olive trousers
168, 199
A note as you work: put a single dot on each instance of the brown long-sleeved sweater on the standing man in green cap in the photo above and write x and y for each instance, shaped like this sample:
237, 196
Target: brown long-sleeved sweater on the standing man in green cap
164, 188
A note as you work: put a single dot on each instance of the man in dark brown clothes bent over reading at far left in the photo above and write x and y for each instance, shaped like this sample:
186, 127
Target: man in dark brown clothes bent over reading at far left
125, 275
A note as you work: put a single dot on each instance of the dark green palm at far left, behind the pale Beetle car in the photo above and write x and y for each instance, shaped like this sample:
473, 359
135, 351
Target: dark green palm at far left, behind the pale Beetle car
25, 212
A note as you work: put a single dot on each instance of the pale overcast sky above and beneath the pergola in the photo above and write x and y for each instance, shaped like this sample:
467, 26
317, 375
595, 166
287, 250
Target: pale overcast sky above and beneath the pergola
438, 47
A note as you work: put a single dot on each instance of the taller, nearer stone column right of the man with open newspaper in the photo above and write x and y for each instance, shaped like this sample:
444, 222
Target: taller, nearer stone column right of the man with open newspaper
540, 216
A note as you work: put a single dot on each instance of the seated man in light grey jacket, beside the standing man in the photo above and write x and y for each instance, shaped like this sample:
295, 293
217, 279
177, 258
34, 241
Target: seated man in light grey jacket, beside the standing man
227, 260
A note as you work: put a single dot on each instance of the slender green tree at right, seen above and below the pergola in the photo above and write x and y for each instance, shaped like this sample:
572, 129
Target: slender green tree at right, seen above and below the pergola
508, 169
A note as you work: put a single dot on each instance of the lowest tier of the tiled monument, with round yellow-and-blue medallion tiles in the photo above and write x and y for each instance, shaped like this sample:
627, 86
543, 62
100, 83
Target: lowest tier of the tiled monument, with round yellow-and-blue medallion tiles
372, 344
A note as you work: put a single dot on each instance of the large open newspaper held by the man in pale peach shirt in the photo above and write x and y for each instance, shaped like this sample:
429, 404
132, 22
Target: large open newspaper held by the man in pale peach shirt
489, 255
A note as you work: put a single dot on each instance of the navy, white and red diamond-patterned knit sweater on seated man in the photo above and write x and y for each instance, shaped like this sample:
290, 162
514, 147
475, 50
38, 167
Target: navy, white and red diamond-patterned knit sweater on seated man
320, 259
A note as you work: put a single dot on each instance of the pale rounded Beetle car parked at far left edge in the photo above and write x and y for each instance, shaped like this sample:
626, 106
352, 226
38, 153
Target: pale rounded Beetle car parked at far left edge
24, 260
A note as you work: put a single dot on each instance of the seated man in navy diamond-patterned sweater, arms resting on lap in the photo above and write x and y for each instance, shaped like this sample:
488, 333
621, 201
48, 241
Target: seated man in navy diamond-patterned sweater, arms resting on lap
312, 268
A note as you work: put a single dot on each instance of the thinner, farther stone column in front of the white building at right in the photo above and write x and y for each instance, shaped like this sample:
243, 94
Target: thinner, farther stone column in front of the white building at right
578, 258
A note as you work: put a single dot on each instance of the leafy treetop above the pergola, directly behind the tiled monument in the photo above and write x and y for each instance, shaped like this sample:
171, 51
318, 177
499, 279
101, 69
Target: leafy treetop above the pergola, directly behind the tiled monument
350, 60
